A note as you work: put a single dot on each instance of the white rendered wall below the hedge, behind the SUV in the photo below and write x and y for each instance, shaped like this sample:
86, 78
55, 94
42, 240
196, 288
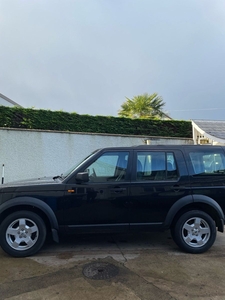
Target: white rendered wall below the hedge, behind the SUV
35, 153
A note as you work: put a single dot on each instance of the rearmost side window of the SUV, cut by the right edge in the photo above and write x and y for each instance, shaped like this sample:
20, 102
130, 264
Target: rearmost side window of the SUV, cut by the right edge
205, 163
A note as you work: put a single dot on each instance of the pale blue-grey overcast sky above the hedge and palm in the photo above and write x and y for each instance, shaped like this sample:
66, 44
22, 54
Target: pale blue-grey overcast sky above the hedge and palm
86, 56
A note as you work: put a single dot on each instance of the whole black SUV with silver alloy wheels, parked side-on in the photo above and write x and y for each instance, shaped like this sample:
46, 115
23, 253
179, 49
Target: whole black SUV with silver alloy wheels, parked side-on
181, 188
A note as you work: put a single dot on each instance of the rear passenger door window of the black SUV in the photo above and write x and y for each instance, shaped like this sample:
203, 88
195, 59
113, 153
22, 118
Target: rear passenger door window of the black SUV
156, 166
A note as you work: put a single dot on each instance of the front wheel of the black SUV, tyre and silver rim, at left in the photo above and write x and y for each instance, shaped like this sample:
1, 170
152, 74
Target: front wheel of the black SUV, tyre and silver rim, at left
22, 234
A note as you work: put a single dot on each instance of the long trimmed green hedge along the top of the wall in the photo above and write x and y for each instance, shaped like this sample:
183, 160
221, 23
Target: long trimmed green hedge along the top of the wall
16, 117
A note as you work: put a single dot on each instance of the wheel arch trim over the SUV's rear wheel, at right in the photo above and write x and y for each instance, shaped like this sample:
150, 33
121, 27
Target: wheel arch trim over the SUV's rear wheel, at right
193, 202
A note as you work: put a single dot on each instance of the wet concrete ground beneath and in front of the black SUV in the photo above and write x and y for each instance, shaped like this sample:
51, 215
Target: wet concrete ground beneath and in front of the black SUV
149, 265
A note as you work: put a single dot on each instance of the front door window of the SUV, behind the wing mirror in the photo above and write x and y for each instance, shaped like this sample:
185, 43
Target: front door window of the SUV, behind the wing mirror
110, 166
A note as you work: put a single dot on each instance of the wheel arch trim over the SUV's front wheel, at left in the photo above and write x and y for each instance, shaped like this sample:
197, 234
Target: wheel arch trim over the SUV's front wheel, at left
35, 205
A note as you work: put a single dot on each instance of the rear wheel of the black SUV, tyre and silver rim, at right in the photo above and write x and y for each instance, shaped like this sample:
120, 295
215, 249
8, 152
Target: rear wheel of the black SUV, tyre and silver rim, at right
194, 232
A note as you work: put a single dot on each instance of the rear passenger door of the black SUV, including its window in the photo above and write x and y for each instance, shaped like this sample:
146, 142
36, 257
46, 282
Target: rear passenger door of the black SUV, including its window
159, 179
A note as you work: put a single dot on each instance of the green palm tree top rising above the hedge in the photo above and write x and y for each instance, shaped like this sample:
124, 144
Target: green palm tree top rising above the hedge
143, 107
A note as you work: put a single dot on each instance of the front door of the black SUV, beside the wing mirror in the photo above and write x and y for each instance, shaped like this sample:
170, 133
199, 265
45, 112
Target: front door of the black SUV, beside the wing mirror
101, 203
